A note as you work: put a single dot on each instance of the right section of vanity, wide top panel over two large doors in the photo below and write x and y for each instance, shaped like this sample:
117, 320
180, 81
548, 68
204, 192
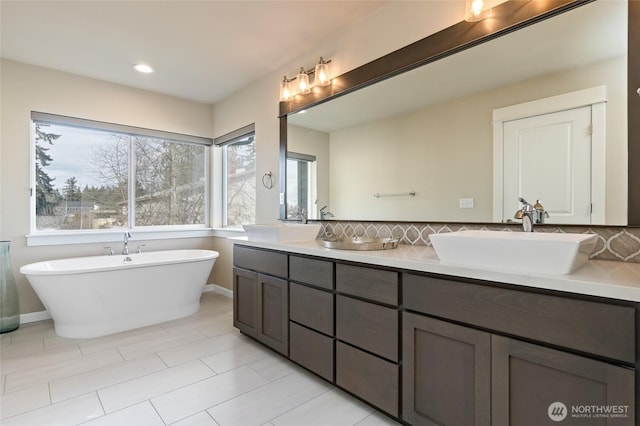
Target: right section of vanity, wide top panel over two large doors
460, 368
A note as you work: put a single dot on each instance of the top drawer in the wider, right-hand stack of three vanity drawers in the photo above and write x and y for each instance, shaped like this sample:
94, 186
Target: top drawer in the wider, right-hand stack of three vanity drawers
373, 284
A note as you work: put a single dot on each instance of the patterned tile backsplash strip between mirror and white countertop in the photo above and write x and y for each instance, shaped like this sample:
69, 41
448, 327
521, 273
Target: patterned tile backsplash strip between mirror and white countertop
614, 242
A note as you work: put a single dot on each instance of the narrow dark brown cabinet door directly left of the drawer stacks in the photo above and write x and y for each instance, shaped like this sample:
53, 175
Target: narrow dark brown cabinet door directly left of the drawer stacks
273, 313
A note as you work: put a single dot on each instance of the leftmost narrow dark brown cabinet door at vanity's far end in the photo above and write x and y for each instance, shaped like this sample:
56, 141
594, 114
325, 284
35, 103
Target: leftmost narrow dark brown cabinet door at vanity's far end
245, 301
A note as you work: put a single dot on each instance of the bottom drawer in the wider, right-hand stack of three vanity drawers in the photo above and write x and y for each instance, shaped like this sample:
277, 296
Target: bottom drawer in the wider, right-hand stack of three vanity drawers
371, 378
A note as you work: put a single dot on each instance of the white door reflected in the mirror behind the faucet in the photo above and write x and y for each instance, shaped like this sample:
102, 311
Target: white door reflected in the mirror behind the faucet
548, 157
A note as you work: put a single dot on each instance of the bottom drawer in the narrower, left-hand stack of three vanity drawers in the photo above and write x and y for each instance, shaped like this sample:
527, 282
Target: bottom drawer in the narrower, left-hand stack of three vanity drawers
312, 350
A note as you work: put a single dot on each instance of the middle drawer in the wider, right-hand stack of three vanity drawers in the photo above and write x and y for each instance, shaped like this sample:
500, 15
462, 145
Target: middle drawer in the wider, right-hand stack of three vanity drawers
371, 327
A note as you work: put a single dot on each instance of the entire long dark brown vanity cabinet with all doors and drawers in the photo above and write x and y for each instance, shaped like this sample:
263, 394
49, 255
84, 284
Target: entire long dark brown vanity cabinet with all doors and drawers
433, 349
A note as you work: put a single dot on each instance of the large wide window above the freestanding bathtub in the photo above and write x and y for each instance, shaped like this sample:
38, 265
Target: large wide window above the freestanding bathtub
92, 175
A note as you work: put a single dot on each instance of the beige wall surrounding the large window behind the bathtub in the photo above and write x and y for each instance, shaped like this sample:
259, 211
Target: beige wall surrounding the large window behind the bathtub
28, 88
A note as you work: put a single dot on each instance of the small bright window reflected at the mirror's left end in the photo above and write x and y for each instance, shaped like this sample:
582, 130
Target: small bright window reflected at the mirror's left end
301, 185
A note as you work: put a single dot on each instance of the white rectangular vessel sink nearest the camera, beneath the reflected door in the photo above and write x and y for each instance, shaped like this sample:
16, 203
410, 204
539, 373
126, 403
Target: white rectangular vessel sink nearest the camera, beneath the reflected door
555, 253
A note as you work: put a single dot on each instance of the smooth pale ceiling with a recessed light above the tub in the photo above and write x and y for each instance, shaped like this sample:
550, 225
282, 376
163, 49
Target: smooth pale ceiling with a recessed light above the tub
201, 50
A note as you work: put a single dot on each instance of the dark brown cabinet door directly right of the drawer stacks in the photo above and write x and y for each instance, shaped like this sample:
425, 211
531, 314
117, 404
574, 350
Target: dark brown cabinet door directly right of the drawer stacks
446, 373
